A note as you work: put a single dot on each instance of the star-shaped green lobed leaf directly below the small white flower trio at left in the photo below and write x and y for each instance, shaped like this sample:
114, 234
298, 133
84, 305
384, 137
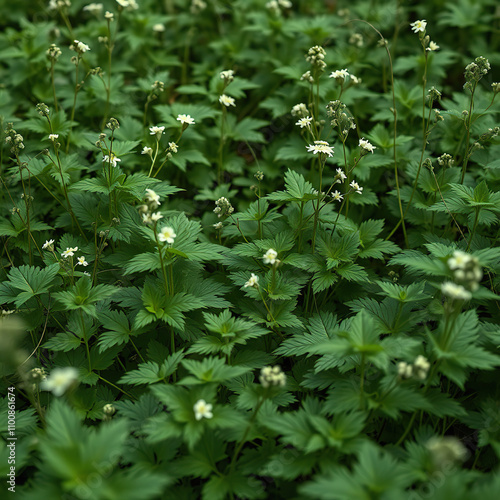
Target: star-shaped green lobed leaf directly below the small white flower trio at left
84, 296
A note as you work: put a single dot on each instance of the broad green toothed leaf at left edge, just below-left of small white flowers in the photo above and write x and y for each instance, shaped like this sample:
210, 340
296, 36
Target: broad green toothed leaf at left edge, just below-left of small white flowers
30, 280
